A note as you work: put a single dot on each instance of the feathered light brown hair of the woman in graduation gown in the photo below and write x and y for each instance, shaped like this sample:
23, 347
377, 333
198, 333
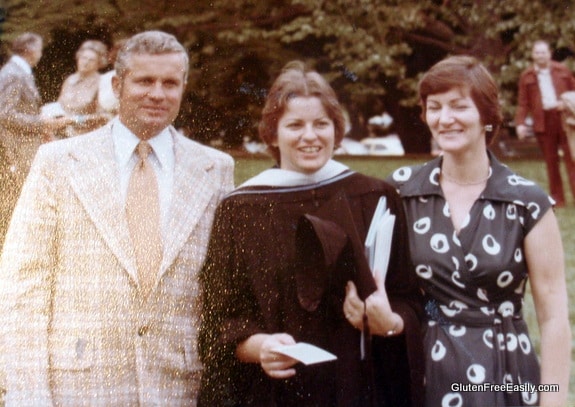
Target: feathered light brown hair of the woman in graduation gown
296, 80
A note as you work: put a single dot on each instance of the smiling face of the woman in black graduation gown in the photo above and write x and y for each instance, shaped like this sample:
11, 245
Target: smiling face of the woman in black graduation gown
305, 136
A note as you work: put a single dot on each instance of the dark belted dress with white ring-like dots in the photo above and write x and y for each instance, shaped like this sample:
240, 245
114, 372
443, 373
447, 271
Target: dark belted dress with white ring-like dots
478, 350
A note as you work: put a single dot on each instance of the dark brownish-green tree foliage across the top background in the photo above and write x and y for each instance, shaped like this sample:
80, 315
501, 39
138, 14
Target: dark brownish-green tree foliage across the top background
372, 51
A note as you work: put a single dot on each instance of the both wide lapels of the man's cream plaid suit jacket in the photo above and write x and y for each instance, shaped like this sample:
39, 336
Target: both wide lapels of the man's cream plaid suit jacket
192, 192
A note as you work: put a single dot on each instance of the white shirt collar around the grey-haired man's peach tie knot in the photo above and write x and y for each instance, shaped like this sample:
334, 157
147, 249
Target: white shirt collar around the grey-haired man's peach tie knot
125, 143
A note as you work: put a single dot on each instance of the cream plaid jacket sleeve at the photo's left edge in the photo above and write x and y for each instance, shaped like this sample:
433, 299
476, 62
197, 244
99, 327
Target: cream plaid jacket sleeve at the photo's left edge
26, 270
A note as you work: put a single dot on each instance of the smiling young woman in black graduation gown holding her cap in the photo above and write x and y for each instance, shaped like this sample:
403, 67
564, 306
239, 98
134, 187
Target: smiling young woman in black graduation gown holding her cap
286, 246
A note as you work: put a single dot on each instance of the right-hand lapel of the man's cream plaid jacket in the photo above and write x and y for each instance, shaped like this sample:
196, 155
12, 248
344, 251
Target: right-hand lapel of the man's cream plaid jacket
192, 193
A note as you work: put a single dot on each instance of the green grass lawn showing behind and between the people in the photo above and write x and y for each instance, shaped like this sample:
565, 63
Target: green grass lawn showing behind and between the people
532, 169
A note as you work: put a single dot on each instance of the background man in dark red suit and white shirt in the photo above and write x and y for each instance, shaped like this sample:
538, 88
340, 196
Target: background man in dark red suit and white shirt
540, 88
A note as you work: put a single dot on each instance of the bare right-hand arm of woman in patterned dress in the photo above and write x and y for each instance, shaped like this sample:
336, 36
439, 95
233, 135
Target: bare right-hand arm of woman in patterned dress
545, 261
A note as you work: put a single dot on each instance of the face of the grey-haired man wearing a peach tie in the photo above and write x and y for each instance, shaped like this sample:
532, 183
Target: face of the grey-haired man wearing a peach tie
151, 92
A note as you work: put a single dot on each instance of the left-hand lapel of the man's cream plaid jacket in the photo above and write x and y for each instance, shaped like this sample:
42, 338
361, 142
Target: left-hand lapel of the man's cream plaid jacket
102, 200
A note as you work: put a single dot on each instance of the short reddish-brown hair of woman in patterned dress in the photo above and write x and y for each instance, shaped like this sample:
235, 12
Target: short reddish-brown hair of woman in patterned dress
465, 72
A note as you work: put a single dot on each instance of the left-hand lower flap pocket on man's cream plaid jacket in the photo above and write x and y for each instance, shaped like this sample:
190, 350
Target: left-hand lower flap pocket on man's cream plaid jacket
72, 353
